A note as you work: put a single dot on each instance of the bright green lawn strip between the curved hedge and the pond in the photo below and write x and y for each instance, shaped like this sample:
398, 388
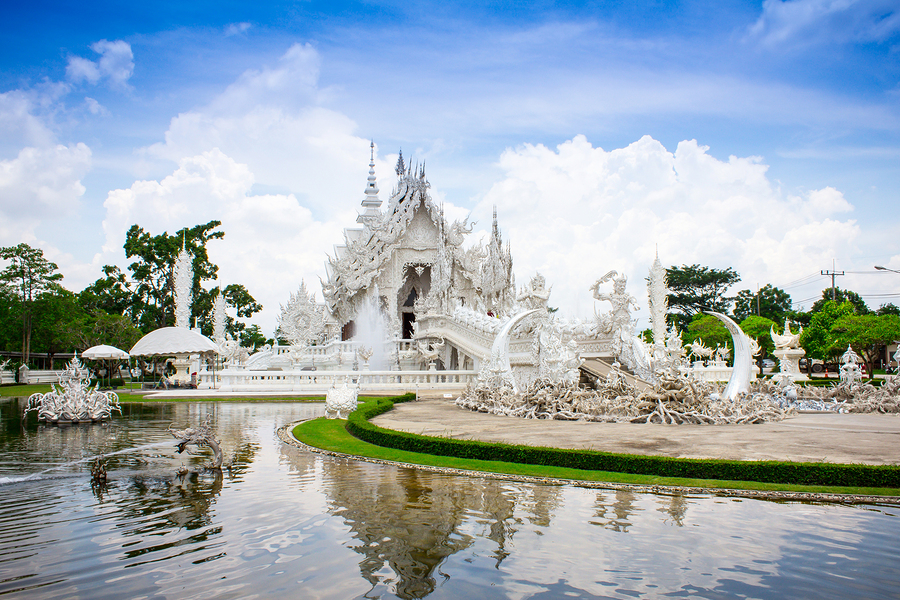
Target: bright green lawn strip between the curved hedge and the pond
330, 434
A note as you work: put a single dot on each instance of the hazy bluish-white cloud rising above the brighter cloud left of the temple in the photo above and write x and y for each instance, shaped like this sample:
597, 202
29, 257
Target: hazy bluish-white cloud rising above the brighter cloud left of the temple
270, 119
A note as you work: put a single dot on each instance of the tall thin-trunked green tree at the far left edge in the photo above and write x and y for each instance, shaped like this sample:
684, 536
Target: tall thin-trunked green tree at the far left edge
28, 275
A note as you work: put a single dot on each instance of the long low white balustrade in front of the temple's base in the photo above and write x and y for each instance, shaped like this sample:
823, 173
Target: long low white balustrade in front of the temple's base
320, 381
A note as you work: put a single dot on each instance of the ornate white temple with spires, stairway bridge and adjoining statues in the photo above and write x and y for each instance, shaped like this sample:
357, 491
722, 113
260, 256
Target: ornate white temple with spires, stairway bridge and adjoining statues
408, 303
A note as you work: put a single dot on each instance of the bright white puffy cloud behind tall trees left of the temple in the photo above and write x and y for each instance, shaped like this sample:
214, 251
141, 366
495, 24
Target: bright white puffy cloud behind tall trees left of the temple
271, 240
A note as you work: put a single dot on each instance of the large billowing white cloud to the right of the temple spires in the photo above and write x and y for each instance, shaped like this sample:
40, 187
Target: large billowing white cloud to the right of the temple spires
576, 212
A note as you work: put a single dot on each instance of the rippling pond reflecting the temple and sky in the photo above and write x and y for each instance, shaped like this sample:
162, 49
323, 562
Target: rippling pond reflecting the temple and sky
293, 523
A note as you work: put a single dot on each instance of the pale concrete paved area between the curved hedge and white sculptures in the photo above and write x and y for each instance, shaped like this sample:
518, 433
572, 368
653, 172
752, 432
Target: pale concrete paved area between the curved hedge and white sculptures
811, 437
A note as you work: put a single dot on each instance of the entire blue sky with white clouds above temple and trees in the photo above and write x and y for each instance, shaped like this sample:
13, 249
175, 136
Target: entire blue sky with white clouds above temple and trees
259, 114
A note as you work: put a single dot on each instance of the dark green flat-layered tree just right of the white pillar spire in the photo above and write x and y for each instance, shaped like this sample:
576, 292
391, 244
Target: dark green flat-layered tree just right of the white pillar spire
695, 289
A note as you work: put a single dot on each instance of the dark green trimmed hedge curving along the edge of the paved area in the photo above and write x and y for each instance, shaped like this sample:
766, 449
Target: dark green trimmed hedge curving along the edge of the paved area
824, 474
